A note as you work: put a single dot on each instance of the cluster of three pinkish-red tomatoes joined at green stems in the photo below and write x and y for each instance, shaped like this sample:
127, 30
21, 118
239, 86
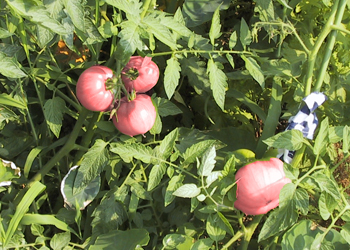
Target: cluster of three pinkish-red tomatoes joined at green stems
98, 89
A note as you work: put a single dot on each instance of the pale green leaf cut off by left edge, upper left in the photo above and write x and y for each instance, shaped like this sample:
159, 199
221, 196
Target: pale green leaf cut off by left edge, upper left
10, 67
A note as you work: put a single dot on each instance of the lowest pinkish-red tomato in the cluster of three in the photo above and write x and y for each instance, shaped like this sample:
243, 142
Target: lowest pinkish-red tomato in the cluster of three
135, 117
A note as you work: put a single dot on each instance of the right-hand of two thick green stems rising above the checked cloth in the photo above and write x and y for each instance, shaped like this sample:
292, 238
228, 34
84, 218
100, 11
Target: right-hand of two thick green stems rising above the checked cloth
330, 45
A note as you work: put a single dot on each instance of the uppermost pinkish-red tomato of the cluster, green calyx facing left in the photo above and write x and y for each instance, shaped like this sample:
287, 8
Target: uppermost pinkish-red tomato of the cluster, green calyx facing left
140, 74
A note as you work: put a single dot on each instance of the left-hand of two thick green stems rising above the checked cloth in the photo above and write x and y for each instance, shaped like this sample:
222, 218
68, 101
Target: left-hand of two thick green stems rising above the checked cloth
313, 54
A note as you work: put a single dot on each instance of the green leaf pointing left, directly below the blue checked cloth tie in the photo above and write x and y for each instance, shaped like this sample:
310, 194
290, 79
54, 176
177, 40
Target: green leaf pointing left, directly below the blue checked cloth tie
291, 140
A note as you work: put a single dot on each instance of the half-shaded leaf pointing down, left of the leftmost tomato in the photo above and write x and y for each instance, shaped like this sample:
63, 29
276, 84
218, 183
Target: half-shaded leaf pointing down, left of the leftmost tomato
54, 109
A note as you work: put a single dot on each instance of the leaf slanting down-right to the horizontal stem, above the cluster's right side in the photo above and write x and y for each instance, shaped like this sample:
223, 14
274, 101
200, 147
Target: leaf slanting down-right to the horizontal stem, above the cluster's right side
161, 32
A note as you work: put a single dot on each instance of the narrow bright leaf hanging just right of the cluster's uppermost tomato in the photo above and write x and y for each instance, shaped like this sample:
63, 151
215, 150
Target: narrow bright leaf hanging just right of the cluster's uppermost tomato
171, 76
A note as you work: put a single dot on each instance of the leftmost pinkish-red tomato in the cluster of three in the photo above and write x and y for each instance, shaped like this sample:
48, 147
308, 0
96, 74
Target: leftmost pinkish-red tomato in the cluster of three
91, 88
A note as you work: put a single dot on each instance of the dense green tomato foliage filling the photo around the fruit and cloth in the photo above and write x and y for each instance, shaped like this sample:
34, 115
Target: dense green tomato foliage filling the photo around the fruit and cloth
231, 75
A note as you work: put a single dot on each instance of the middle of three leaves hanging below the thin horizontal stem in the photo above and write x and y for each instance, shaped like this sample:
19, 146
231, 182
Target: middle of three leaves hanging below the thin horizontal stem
218, 83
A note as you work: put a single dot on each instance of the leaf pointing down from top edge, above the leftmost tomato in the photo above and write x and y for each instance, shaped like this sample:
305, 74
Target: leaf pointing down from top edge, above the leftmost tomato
75, 9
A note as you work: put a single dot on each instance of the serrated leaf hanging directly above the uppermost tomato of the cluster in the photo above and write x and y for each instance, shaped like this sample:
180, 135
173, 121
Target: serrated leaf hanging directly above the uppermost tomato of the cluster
129, 37
